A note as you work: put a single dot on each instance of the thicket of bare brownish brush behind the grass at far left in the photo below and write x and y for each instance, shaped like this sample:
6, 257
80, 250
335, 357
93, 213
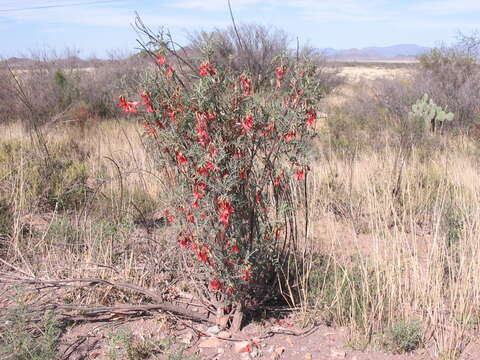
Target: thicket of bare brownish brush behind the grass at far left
46, 86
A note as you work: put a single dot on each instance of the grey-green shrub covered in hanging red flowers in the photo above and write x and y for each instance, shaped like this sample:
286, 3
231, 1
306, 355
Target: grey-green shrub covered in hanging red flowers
235, 153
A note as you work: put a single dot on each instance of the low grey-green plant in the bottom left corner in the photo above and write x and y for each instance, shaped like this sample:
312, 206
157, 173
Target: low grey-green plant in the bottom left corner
21, 338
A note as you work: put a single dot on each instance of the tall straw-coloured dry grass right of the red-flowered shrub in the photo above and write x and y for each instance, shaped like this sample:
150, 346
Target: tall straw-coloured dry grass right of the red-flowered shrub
408, 257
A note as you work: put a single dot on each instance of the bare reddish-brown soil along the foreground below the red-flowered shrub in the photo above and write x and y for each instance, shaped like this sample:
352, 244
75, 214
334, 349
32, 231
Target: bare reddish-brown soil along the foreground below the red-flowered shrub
94, 341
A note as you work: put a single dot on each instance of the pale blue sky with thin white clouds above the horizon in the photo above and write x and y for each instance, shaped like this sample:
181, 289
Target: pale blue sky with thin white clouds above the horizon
97, 26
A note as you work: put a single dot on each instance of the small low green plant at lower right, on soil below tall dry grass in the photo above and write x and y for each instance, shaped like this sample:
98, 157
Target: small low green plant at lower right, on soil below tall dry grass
404, 336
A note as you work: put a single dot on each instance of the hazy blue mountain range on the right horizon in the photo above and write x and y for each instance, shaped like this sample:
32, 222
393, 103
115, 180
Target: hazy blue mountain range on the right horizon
388, 52
